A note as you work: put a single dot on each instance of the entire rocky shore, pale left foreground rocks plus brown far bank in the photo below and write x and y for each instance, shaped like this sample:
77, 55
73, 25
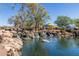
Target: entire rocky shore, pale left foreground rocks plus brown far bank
12, 42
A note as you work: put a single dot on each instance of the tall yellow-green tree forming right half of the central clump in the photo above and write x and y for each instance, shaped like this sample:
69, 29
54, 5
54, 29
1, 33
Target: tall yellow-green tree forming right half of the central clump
38, 14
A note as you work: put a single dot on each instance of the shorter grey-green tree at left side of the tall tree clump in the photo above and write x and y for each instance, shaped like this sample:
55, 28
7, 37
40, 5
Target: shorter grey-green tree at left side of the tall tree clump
18, 20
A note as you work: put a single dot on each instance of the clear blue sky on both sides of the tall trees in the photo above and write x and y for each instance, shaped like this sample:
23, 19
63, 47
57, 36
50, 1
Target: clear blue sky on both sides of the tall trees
53, 9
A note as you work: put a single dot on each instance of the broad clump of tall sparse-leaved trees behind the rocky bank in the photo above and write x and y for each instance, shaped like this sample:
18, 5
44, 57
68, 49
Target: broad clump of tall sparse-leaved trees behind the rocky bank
30, 15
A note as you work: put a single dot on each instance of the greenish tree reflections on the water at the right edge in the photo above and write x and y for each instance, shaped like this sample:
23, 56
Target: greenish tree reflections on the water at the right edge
69, 42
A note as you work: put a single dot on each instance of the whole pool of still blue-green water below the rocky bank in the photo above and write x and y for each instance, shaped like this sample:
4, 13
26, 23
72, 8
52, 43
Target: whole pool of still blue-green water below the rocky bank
52, 46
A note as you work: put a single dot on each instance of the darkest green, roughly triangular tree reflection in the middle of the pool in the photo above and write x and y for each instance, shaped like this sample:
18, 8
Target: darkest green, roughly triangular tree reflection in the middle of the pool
38, 50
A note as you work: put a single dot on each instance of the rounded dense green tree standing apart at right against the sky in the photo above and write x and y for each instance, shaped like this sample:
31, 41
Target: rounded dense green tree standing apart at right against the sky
63, 21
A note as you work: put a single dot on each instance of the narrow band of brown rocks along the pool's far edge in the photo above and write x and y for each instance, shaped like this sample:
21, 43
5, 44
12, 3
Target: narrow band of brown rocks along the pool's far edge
44, 33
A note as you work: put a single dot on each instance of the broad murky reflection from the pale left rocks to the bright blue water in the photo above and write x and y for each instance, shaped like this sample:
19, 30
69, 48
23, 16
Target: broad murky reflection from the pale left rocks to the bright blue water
35, 48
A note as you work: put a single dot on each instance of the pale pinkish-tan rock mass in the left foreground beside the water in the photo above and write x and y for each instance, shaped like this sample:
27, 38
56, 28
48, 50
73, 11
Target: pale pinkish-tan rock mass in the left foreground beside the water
11, 46
